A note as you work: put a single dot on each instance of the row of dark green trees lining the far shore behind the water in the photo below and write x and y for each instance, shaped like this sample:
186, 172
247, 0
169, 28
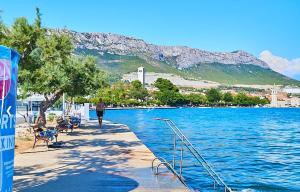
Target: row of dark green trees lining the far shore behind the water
133, 94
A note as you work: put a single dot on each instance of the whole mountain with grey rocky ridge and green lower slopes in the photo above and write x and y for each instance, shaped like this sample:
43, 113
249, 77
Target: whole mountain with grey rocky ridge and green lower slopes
122, 54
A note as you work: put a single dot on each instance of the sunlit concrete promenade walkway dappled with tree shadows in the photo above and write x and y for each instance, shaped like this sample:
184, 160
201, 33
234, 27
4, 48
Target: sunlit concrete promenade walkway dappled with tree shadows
110, 159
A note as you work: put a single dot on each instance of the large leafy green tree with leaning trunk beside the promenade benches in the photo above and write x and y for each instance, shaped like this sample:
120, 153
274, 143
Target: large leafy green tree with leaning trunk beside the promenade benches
47, 66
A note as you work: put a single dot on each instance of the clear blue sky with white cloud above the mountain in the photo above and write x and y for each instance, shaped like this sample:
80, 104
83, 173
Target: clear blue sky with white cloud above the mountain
269, 29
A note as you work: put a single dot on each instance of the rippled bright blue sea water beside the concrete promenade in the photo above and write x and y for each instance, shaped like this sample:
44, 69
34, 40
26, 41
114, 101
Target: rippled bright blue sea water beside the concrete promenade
253, 149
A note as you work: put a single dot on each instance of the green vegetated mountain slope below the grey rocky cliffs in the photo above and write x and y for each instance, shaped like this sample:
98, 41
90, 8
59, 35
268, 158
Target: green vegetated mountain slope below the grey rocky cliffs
222, 73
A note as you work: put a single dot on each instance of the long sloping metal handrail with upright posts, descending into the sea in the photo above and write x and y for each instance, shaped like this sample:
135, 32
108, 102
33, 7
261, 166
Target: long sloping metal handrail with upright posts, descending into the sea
185, 142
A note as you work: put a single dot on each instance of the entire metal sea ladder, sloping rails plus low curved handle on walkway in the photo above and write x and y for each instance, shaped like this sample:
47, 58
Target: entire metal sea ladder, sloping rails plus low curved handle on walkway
184, 142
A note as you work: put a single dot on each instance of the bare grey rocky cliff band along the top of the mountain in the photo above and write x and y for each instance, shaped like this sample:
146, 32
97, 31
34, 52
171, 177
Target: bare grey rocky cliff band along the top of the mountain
180, 56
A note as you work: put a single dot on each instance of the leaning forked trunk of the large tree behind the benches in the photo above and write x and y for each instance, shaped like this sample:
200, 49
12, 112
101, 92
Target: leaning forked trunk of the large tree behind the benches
48, 102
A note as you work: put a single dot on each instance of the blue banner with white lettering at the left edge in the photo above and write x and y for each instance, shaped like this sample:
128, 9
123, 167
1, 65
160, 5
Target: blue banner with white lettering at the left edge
8, 95
